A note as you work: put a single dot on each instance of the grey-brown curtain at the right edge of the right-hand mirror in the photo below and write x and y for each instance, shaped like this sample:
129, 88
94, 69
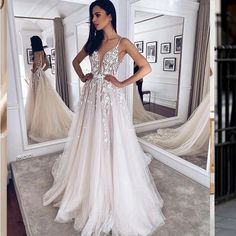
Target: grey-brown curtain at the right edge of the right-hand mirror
201, 66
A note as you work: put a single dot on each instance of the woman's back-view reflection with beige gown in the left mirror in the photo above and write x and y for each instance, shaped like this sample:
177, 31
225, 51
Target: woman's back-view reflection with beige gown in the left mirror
47, 116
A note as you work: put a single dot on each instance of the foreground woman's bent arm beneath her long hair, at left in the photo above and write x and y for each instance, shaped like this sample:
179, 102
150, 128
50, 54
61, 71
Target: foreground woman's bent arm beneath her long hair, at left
76, 64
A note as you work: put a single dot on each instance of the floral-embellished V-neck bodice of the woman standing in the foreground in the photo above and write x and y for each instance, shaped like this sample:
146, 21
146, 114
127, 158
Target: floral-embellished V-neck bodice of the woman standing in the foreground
109, 64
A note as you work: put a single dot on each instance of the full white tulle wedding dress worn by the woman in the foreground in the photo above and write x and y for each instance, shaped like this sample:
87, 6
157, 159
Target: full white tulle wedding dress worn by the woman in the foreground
102, 180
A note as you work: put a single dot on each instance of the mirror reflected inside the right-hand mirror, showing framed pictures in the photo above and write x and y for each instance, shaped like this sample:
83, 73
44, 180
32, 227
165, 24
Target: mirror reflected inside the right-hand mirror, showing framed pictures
159, 39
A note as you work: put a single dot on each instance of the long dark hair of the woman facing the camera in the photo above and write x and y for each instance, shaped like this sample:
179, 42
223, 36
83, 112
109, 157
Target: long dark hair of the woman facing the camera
95, 37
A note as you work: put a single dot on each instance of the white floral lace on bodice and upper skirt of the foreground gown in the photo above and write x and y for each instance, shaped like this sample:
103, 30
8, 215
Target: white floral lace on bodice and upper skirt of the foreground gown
103, 89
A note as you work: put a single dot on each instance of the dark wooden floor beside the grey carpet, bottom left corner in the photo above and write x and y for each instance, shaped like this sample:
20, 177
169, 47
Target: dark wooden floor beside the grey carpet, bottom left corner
15, 225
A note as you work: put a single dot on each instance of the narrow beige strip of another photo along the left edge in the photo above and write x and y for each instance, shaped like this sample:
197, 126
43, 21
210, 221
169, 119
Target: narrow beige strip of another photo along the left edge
3, 119
